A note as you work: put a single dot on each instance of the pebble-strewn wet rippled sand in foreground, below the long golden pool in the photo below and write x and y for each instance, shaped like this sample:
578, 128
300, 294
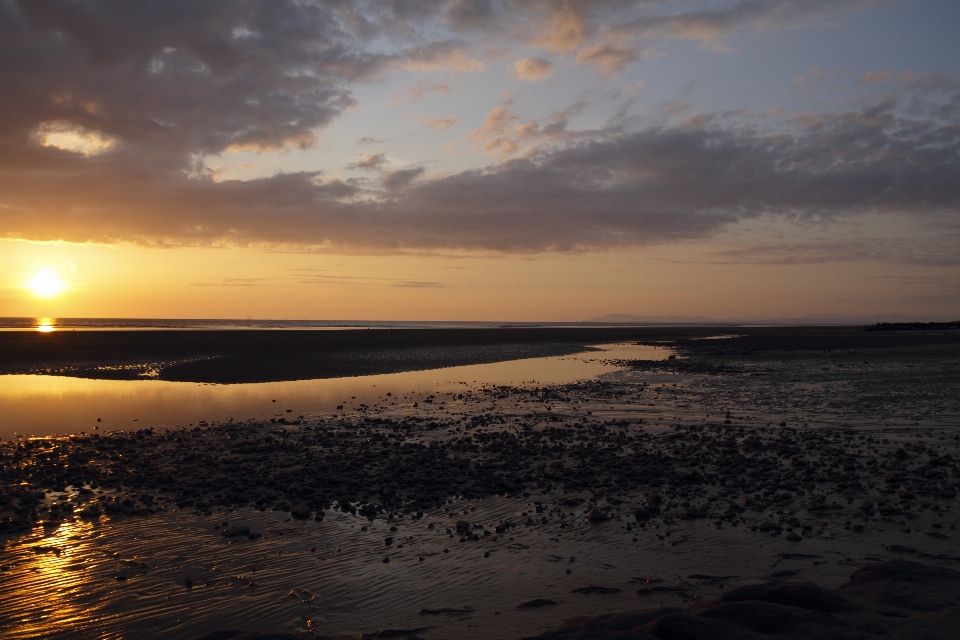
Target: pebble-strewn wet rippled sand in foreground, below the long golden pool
664, 484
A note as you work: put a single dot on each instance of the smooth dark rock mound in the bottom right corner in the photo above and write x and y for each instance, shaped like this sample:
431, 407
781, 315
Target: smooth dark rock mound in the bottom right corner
796, 611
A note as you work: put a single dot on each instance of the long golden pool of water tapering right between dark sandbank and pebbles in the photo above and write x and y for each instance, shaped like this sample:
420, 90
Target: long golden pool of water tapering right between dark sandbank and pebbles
47, 405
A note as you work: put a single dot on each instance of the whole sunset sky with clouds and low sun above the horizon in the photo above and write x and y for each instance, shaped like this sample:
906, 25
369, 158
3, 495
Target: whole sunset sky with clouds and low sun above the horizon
534, 160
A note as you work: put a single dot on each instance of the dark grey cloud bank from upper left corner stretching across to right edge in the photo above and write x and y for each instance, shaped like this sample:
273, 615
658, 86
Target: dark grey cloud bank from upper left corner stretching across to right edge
151, 88
